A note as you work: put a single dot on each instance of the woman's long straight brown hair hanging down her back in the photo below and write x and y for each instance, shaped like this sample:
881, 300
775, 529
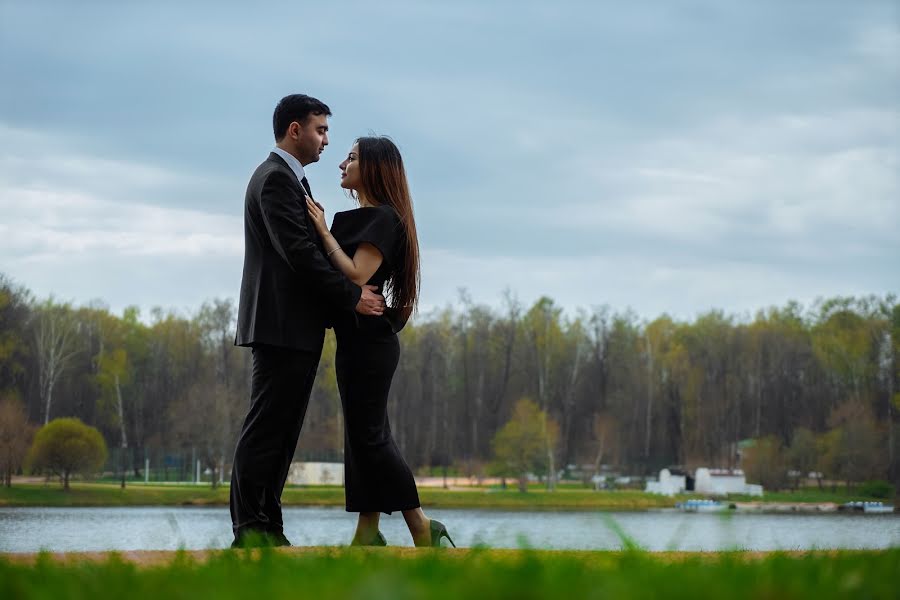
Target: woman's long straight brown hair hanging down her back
384, 181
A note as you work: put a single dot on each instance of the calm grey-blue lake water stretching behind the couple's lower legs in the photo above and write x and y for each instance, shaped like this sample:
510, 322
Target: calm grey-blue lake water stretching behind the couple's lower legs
170, 528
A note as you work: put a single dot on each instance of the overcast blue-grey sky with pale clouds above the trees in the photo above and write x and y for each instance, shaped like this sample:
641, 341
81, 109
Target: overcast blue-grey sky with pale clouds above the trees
663, 156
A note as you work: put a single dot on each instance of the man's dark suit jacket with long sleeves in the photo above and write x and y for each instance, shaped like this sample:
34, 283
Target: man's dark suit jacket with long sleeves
288, 287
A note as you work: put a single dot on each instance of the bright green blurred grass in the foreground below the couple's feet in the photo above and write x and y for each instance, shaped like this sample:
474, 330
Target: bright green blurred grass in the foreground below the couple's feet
386, 573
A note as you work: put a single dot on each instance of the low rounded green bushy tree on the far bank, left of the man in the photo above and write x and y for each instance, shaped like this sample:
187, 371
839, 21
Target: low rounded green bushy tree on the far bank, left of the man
65, 447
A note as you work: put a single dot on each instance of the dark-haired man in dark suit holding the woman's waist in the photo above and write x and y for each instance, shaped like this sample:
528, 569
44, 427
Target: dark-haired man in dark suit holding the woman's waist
287, 292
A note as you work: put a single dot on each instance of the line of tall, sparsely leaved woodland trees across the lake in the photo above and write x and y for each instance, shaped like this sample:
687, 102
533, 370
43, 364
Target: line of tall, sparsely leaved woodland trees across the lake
613, 388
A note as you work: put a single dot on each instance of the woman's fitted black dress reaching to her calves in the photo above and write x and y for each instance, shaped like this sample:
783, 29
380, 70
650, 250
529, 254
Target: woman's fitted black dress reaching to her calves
377, 478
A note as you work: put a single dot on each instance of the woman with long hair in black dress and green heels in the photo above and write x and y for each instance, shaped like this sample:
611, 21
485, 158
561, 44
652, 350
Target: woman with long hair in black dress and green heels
375, 244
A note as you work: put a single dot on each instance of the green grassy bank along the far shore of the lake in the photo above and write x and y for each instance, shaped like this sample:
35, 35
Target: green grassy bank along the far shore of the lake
98, 494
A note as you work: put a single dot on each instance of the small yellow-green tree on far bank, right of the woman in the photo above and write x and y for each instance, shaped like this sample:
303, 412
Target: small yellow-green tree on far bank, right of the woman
521, 445
